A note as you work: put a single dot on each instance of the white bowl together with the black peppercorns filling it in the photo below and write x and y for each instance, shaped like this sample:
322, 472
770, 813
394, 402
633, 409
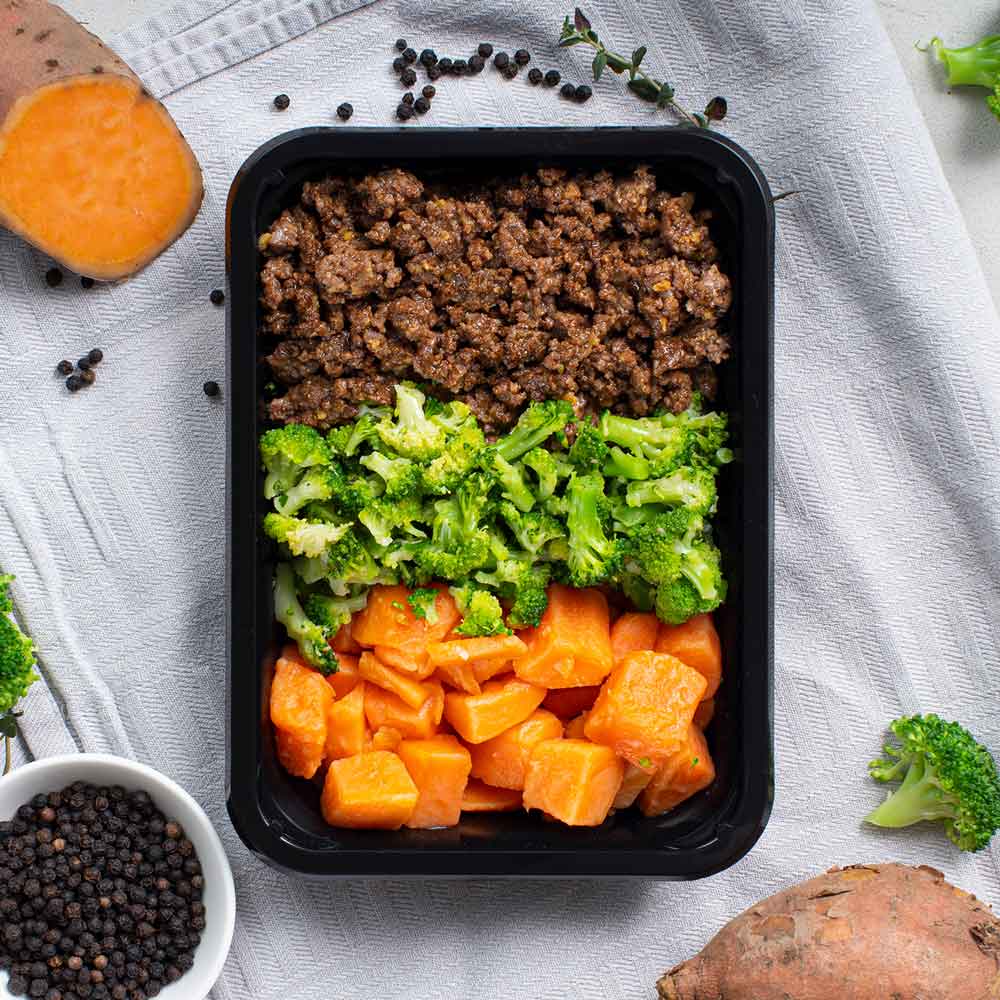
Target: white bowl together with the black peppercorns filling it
113, 884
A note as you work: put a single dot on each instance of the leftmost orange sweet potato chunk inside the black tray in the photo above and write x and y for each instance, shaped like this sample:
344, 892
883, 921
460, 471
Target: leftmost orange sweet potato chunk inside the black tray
300, 700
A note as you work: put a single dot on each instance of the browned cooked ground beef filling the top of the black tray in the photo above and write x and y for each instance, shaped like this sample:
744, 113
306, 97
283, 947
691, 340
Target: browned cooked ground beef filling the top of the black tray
601, 290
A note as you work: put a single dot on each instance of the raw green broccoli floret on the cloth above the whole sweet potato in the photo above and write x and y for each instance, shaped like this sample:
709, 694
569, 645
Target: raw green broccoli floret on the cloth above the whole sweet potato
946, 775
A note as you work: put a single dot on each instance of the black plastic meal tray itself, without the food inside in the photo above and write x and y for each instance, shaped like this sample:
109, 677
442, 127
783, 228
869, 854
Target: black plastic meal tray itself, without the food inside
277, 815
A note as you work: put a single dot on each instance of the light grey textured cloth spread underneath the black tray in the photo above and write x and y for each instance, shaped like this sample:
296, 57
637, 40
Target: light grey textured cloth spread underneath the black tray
887, 523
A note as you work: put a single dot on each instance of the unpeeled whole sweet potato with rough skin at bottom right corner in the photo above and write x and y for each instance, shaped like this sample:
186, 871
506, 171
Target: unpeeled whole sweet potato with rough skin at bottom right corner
856, 933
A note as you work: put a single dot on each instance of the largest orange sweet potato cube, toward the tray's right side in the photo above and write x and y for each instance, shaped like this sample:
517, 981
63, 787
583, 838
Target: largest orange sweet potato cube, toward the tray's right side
645, 708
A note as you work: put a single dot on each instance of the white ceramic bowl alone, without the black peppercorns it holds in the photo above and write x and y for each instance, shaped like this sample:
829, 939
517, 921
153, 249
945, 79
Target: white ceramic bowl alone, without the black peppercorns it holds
54, 773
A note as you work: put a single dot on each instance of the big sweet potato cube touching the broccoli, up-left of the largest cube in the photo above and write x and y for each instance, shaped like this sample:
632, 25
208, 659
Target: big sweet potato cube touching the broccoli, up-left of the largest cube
571, 647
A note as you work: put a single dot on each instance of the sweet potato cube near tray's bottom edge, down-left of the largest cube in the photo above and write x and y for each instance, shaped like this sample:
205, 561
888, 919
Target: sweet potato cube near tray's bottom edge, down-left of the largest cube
573, 780
